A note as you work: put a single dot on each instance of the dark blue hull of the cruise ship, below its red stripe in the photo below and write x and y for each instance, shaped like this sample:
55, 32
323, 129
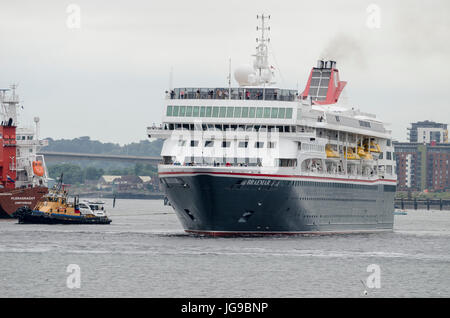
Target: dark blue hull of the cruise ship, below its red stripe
212, 204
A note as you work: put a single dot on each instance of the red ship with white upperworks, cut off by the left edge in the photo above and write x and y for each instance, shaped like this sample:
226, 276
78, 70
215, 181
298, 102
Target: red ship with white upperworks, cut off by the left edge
23, 176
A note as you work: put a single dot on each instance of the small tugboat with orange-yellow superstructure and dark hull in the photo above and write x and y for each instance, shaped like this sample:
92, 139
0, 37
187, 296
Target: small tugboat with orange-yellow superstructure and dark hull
55, 208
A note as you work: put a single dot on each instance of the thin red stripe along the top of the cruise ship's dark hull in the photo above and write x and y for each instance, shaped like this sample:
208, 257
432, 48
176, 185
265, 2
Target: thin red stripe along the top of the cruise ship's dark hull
271, 175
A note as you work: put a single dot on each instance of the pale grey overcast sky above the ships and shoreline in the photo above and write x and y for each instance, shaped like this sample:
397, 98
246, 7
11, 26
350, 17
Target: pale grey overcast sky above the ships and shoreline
107, 78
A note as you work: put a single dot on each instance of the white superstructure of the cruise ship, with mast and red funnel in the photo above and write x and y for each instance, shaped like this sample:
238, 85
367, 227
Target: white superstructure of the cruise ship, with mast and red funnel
260, 127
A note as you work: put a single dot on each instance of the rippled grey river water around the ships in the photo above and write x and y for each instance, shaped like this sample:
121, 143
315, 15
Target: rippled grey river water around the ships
144, 252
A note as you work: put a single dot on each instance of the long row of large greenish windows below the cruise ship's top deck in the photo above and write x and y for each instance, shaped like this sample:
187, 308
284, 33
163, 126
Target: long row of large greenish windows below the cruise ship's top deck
229, 112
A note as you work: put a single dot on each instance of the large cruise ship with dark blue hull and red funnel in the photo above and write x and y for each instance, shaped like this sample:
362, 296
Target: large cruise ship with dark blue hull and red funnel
259, 159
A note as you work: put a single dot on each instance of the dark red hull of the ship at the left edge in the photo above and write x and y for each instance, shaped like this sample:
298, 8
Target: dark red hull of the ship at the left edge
12, 199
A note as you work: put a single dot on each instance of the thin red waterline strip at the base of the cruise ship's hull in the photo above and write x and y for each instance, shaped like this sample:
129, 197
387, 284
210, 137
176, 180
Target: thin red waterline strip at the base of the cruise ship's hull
232, 233
